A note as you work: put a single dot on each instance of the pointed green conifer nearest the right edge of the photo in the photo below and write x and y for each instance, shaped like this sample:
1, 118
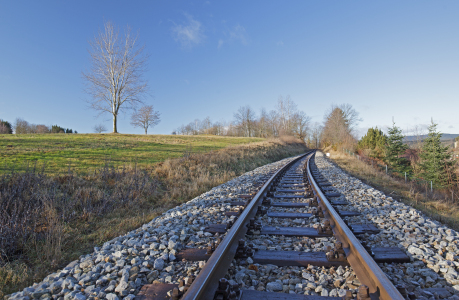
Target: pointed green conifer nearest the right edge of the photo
436, 164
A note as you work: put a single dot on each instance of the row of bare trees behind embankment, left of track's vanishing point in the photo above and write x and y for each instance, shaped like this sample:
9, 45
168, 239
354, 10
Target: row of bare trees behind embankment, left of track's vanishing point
286, 119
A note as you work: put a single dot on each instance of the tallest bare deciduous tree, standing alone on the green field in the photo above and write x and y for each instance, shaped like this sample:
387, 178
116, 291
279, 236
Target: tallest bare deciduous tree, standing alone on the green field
115, 80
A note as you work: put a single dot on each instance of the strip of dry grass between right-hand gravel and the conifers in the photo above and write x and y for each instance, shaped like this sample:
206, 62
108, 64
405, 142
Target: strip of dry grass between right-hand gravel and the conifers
432, 204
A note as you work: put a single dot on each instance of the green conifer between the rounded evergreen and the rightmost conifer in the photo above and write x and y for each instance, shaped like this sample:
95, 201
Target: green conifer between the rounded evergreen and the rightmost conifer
394, 149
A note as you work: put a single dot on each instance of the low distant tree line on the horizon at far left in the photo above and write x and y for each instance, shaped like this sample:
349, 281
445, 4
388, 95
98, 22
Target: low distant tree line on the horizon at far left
21, 126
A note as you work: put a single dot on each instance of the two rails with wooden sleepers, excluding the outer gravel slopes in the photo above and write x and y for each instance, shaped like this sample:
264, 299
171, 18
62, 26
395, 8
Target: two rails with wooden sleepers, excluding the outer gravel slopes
297, 196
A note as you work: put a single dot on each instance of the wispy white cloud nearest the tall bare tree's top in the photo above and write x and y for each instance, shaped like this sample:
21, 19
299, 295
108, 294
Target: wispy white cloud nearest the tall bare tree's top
189, 34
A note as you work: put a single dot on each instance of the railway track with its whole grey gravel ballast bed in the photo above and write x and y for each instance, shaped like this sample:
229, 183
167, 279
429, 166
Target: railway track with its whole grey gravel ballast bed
272, 233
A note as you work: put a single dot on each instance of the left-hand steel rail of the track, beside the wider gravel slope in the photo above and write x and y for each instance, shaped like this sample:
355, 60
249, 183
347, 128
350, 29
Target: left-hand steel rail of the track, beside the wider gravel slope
206, 283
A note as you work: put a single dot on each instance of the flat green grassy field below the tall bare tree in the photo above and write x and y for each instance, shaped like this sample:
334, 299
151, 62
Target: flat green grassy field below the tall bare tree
84, 153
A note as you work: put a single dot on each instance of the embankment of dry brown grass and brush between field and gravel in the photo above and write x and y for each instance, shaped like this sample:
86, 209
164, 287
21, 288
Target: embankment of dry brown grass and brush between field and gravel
46, 221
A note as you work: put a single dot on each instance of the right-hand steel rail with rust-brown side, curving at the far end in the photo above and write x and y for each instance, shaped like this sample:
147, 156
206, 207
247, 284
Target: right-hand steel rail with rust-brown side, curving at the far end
366, 269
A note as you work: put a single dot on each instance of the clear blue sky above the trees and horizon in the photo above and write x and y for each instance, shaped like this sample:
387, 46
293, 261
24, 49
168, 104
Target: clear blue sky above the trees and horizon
391, 60
